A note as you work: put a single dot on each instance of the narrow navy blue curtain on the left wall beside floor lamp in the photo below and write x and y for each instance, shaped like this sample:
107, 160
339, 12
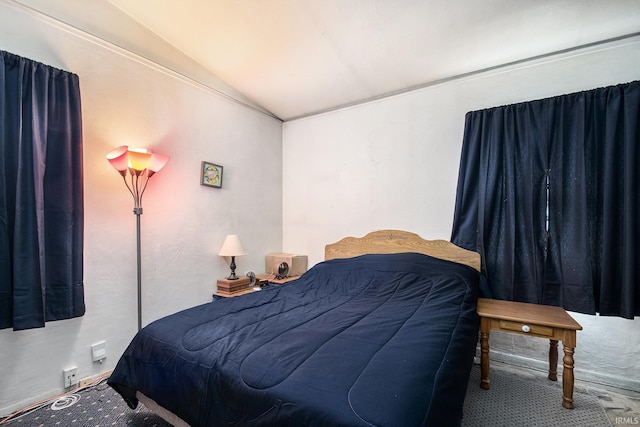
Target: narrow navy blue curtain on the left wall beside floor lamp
41, 194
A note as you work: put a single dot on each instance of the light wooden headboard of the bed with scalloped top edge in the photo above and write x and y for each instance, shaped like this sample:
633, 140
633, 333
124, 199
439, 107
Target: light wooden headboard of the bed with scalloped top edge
395, 241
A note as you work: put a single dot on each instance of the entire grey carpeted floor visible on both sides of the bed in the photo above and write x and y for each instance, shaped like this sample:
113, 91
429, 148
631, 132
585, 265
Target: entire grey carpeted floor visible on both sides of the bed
516, 398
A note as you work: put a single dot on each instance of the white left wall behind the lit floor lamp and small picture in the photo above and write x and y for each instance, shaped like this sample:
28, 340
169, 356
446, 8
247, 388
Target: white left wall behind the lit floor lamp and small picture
126, 100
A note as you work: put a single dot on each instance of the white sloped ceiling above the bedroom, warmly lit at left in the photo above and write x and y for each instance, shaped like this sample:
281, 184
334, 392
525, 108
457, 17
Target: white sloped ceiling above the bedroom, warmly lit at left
293, 58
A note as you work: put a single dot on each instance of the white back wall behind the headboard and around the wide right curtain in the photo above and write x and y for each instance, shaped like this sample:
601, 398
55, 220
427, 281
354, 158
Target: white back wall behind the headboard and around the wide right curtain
393, 163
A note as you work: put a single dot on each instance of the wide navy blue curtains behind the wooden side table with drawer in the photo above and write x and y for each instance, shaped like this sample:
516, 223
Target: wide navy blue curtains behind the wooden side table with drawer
549, 195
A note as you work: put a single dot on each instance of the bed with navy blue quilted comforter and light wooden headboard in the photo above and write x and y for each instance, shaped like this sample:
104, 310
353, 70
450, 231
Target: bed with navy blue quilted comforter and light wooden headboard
383, 332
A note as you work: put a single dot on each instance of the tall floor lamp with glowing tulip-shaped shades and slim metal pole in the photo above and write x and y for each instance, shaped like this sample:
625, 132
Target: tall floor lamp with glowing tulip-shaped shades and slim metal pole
138, 166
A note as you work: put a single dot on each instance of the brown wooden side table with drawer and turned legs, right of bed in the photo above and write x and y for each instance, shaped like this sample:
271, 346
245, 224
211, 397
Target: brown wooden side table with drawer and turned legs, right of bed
542, 321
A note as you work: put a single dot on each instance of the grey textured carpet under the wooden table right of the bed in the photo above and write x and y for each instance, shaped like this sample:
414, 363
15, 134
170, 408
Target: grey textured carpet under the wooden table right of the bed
512, 401
